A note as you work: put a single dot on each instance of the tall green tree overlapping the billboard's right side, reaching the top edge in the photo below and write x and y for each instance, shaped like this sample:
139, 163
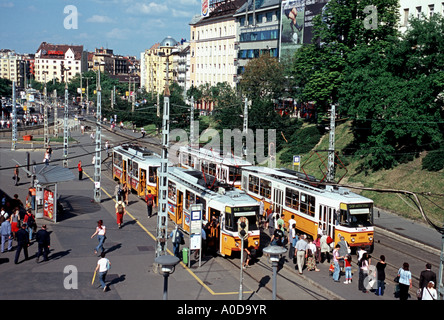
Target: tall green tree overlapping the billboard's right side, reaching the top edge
318, 69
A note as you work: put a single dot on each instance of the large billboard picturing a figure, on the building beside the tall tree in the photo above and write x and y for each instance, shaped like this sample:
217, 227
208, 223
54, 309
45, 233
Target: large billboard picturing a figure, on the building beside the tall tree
296, 23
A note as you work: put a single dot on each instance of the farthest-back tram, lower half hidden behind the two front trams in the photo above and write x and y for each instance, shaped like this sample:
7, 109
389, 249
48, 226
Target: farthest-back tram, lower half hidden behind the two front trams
226, 169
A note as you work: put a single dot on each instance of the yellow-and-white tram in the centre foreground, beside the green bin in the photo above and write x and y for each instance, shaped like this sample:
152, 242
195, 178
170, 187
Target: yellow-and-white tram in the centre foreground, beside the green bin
222, 206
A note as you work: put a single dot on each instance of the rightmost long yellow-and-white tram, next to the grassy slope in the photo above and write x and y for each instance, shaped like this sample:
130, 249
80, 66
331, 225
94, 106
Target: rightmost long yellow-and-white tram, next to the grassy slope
335, 211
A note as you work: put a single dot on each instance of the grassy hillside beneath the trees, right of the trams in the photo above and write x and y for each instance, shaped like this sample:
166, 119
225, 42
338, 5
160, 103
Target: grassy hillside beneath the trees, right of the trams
408, 176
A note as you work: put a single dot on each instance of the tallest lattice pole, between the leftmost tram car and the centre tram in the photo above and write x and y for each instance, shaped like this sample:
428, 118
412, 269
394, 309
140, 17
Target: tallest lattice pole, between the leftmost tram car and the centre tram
162, 215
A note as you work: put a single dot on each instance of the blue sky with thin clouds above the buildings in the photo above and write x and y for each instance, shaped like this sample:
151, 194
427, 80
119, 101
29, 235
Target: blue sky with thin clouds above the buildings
129, 27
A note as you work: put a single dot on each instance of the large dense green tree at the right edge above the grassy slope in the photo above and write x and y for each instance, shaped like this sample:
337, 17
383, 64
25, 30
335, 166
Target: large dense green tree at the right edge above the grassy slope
395, 94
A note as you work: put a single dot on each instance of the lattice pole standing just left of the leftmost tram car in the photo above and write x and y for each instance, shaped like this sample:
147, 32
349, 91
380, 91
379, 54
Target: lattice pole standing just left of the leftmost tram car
98, 157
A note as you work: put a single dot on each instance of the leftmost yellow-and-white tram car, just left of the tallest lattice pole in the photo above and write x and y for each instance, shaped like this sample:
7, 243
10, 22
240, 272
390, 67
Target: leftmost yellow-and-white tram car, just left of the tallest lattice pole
136, 167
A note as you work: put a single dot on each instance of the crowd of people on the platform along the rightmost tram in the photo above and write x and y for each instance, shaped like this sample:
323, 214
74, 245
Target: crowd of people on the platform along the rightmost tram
307, 253
